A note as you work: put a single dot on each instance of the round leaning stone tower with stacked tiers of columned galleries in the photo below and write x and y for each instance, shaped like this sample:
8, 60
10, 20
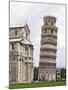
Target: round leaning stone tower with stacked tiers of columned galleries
47, 64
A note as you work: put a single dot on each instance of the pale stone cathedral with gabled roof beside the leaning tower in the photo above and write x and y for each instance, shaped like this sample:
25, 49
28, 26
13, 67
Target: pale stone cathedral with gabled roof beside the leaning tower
20, 55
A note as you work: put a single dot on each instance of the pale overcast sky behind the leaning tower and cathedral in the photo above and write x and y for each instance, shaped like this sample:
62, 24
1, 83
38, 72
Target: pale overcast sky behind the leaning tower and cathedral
33, 14
